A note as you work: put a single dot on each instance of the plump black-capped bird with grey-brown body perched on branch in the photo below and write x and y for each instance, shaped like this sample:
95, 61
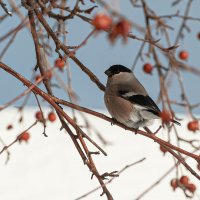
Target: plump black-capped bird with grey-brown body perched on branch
127, 101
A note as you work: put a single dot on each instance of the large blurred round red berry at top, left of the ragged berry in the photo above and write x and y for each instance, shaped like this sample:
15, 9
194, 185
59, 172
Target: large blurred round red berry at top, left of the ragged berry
102, 21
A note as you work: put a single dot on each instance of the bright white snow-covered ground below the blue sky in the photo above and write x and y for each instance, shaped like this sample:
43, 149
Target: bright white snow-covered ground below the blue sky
50, 167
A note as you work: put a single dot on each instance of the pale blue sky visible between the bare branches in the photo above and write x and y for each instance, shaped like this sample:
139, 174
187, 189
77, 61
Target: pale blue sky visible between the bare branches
99, 54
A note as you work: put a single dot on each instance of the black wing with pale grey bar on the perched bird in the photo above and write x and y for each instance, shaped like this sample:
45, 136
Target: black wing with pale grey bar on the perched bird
140, 100
